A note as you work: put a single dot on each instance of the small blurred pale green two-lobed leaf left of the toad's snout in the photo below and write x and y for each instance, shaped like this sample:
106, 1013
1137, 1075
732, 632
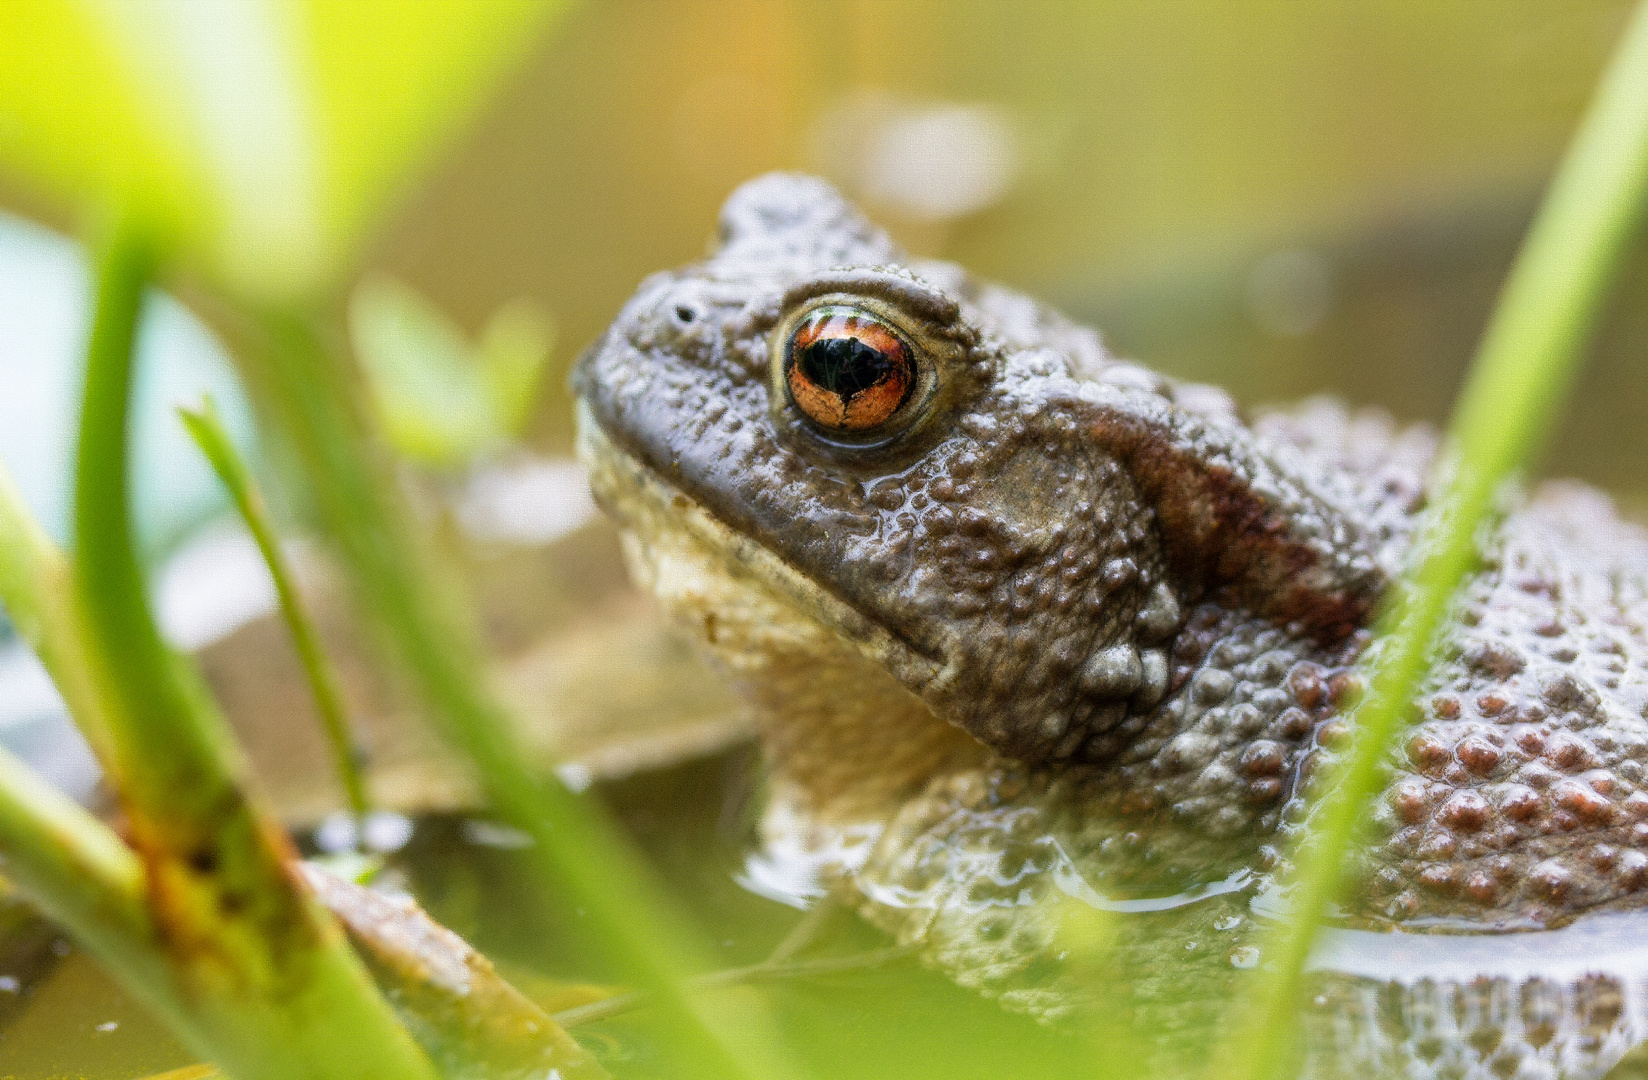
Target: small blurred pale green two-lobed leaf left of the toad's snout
441, 400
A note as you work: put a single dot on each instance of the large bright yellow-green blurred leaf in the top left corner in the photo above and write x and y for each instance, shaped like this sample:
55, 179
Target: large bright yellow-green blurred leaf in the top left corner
261, 136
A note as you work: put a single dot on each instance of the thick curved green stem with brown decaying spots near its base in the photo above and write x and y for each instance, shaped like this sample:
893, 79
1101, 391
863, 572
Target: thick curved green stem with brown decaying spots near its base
266, 979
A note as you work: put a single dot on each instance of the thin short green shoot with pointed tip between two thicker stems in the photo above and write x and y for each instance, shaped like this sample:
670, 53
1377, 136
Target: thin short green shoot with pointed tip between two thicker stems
215, 443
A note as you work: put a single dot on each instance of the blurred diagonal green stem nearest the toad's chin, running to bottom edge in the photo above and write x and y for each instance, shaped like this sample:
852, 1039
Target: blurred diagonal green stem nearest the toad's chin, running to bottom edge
314, 401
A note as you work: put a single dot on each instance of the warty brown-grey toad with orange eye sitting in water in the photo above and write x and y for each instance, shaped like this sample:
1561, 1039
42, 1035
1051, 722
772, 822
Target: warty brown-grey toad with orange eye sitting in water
1026, 621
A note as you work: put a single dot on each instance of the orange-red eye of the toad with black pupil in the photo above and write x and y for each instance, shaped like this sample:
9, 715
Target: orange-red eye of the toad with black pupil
848, 370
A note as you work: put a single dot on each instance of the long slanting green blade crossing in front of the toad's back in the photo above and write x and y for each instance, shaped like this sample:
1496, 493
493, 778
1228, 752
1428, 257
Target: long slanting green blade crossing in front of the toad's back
1525, 367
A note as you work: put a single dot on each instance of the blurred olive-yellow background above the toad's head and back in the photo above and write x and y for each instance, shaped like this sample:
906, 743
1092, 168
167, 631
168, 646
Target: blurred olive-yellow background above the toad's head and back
1285, 199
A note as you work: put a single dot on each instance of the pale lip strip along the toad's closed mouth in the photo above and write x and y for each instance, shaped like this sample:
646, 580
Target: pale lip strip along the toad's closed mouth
611, 464
